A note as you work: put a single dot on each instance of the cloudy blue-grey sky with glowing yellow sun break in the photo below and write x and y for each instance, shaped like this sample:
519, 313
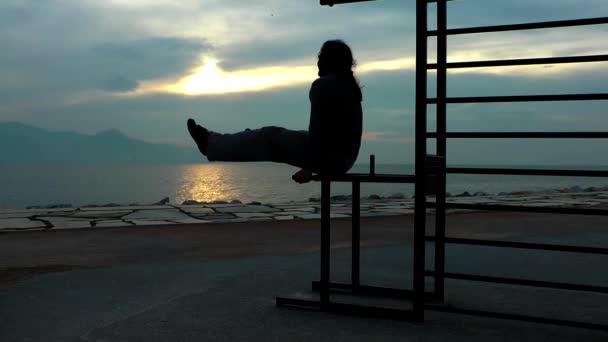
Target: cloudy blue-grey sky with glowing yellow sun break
145, 66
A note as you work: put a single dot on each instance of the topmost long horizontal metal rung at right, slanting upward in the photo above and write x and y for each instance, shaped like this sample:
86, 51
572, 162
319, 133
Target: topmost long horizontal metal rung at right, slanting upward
526, 26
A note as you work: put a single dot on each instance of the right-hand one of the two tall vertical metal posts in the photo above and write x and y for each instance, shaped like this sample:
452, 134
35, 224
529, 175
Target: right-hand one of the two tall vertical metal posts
441, 148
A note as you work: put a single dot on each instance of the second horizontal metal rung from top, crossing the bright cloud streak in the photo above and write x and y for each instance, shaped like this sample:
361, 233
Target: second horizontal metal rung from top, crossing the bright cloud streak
523, 61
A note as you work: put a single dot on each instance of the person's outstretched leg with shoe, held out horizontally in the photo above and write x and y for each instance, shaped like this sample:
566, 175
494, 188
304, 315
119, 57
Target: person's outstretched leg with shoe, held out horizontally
274, 144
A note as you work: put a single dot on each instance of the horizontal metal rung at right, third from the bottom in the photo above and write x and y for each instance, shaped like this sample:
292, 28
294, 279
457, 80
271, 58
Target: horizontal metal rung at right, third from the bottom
523, 245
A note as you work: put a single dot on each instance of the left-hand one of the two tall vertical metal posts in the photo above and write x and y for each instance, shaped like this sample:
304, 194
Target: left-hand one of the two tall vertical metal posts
420, 198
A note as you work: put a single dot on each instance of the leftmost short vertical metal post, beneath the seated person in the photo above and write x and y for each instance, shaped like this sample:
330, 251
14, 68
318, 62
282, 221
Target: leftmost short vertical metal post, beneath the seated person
325, 242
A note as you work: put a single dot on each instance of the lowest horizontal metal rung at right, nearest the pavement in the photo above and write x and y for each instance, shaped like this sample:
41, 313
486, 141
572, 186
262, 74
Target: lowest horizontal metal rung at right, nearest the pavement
501, 315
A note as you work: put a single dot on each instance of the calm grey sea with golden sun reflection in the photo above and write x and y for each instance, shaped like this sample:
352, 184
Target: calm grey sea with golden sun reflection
23, 185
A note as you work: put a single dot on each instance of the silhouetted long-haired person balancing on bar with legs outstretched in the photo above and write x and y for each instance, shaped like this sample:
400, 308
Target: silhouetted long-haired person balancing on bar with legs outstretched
333, 139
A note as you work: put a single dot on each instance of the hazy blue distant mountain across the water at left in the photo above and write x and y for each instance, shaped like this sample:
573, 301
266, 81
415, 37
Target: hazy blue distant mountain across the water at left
23, 143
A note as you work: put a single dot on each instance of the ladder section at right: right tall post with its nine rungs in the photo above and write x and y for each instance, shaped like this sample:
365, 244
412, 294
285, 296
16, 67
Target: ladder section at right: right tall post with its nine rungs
441, 135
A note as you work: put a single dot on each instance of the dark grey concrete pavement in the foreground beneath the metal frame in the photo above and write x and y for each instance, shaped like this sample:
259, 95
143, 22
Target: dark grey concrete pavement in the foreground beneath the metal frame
219, 298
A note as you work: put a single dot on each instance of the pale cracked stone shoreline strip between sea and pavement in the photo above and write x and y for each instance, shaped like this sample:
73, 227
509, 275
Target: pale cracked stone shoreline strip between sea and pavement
56, 217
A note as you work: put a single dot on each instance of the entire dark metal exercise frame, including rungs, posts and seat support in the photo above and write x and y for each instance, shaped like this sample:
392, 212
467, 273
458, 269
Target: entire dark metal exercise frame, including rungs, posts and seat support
422, 300
